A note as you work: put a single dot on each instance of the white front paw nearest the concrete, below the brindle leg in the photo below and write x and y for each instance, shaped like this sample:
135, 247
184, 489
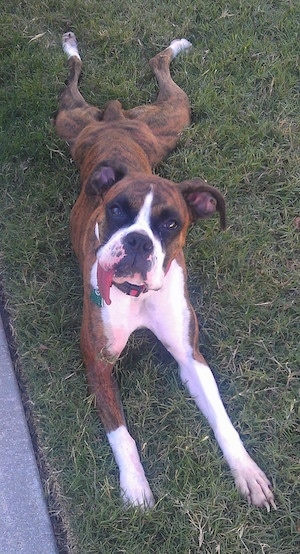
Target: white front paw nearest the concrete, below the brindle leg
135, 491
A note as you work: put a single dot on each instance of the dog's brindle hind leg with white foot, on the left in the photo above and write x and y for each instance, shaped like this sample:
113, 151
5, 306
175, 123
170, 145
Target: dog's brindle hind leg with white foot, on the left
74, 112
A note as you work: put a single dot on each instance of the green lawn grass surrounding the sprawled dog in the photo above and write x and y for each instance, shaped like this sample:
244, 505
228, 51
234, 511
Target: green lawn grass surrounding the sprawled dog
242, 81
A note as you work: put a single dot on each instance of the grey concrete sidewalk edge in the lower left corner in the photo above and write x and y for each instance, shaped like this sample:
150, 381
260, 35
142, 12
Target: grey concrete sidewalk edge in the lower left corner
24, 520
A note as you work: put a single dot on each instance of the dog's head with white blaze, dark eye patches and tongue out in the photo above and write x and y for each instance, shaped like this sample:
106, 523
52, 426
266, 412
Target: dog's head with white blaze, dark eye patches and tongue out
143, 227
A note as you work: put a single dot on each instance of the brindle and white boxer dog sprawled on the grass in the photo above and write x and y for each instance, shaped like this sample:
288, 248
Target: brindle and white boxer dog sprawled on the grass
128, 228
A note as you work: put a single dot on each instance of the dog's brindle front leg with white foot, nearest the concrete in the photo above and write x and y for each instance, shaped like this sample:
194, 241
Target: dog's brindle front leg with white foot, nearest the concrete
99, 356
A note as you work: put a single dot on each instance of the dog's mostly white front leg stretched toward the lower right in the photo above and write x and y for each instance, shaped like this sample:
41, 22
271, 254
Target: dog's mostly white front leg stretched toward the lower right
174, 323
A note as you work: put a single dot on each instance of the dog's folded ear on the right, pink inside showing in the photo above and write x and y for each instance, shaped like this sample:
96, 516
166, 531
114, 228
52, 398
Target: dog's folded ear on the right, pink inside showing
203, 200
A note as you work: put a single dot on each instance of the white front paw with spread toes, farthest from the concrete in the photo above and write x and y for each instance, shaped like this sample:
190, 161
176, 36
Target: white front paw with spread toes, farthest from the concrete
251, 481
